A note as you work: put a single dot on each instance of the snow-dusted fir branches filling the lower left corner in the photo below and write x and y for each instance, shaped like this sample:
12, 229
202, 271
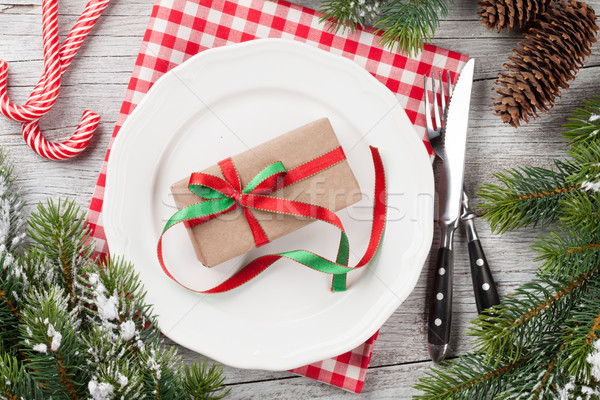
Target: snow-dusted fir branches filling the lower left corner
73, 328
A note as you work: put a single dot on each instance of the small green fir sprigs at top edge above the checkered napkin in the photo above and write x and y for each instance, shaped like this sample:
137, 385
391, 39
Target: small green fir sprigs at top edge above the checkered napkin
404, 24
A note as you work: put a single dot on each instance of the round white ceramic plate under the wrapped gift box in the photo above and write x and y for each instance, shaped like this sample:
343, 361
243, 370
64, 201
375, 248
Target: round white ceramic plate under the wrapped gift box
222, 102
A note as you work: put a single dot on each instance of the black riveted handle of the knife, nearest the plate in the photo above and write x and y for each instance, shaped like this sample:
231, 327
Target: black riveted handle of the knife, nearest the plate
440, 311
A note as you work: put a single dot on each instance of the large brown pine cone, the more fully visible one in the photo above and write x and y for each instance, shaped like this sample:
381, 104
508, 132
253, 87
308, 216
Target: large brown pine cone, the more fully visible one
550, 54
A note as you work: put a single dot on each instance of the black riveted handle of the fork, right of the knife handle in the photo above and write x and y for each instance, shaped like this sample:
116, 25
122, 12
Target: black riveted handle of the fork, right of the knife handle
484, 287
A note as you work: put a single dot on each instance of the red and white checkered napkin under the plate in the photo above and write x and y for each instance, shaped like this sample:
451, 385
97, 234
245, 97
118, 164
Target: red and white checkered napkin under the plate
178, 29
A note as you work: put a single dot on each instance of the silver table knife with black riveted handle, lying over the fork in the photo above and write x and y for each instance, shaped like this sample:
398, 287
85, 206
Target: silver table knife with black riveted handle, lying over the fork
450, 195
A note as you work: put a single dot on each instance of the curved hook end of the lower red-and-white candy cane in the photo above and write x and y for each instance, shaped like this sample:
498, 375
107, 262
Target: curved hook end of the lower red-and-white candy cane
63, 150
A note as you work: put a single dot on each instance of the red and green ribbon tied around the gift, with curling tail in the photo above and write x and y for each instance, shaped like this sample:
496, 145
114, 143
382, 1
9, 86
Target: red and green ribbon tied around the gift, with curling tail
224, 195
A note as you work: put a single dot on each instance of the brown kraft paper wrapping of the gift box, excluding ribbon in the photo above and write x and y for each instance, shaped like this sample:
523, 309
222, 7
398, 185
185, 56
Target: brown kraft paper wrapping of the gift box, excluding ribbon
229, 235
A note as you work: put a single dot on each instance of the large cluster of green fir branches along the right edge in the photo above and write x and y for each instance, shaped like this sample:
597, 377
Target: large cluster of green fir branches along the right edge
543, 341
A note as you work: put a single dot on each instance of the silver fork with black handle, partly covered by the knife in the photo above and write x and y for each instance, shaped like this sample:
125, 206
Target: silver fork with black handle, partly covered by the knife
486, 293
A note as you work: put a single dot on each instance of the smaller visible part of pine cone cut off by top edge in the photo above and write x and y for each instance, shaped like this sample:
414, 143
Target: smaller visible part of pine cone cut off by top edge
511, 14
